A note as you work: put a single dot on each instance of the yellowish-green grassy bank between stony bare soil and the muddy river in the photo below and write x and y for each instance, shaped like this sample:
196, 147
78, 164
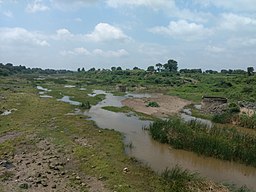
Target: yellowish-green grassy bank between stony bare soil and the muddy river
105, 159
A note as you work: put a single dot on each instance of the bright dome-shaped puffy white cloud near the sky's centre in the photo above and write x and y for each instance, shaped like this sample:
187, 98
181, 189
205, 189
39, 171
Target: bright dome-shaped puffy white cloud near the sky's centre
106, 32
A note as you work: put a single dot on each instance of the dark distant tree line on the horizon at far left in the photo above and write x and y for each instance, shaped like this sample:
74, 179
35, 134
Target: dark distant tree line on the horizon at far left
10, 69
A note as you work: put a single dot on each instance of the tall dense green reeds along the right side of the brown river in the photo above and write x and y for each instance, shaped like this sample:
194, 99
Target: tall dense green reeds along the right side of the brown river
220, 142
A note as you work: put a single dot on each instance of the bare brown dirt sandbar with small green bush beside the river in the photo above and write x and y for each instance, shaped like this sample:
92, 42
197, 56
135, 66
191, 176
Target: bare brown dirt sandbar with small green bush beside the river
168, 105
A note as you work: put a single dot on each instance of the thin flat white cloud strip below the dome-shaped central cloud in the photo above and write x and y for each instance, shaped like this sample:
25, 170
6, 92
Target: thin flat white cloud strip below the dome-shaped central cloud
95, 52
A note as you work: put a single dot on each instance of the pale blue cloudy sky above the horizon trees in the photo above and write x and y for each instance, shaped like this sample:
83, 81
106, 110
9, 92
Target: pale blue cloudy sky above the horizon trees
69, 34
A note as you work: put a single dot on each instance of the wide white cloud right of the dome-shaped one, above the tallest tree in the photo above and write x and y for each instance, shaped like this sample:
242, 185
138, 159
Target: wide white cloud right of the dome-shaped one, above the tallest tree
183, 29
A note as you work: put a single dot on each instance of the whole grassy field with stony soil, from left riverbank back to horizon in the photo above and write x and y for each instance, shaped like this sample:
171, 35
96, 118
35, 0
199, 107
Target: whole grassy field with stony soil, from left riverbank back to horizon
67, 152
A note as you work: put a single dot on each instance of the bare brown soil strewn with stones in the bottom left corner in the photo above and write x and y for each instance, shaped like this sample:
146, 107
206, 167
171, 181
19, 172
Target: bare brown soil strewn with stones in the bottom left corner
42, 167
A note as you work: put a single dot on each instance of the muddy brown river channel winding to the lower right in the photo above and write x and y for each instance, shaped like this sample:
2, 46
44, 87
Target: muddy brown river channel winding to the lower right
159, 156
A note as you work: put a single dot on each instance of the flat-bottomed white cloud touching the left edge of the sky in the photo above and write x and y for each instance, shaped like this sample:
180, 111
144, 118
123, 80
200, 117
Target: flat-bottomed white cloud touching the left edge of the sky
22, 36
